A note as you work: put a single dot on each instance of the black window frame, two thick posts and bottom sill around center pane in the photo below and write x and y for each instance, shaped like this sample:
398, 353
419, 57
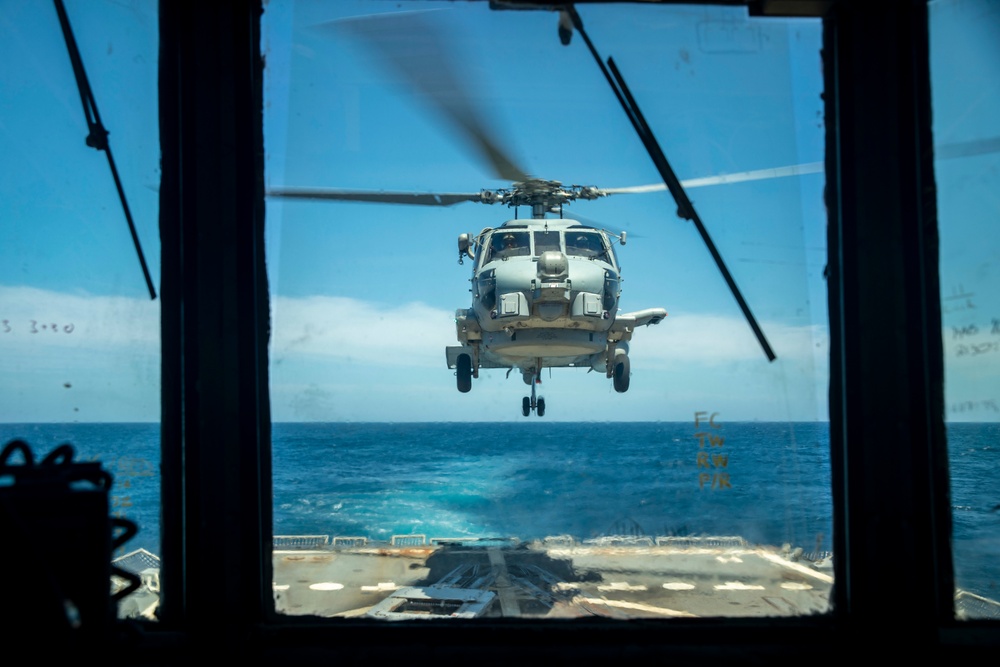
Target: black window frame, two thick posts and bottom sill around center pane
888, 449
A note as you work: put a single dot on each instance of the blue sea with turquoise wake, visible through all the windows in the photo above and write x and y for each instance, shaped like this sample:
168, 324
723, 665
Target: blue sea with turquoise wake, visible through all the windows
766, 482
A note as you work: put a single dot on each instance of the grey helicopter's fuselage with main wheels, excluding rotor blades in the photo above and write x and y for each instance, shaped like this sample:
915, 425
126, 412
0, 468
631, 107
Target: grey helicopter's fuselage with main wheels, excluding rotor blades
545, 293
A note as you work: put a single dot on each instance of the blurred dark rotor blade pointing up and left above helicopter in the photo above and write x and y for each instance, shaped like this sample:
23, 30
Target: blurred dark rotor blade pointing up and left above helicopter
413, 46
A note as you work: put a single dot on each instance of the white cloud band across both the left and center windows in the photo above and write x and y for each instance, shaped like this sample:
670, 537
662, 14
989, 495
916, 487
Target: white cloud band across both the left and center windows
342, 358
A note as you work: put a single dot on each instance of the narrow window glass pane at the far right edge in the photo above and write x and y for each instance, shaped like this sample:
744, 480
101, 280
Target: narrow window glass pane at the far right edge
965, 88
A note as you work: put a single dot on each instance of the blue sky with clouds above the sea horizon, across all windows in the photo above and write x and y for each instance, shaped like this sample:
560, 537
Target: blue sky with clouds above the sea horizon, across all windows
364, 295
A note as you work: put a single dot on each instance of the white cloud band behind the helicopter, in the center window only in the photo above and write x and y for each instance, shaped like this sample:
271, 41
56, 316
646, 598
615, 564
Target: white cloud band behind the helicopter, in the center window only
336, 358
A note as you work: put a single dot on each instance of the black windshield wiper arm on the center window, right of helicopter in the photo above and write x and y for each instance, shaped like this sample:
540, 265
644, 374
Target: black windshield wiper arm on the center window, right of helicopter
685, 209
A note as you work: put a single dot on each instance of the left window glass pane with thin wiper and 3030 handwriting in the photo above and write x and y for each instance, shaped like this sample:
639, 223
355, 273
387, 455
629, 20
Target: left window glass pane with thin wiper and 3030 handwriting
79, 331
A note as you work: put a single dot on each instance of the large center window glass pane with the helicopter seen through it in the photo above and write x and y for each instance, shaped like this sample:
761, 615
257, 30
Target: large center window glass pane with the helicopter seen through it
502, 488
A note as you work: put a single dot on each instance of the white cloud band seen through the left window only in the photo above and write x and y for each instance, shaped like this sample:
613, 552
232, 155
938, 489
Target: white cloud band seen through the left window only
68, 357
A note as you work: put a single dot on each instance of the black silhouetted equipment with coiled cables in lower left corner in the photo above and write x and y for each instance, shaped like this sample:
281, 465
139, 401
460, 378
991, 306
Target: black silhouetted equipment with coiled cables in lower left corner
58, 545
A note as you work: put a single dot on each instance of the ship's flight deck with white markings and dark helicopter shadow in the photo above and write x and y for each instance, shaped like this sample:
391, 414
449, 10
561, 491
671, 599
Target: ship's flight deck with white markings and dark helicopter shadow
413, 577
